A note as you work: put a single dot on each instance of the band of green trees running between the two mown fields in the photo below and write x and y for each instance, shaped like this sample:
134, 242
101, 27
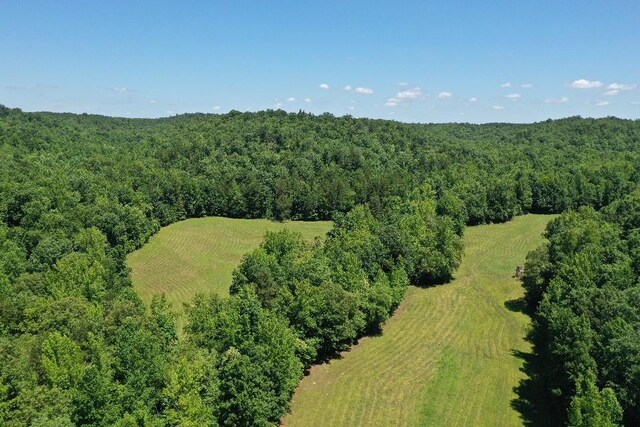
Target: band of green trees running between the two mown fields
294, 303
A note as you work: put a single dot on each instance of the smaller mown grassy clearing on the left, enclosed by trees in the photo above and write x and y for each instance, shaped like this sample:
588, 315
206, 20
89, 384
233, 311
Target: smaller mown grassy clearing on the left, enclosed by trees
199, 255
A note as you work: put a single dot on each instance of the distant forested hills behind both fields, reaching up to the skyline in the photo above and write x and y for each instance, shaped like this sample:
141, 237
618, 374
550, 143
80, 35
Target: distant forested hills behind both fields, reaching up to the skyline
298, 166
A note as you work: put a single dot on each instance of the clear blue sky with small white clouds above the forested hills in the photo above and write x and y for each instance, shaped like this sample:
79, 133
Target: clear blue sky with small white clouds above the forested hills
412, 61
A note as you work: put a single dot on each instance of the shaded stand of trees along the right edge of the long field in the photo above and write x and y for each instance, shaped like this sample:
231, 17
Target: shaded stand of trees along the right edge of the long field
583, 286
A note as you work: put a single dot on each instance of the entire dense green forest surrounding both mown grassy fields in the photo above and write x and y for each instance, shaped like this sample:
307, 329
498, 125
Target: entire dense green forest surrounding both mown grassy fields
79, 192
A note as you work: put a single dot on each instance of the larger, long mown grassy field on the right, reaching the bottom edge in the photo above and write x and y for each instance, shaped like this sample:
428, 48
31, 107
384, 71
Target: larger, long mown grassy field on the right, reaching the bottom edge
446, 358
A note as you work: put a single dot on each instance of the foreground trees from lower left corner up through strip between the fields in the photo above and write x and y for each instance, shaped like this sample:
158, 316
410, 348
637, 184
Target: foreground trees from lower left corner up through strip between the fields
86, 353
